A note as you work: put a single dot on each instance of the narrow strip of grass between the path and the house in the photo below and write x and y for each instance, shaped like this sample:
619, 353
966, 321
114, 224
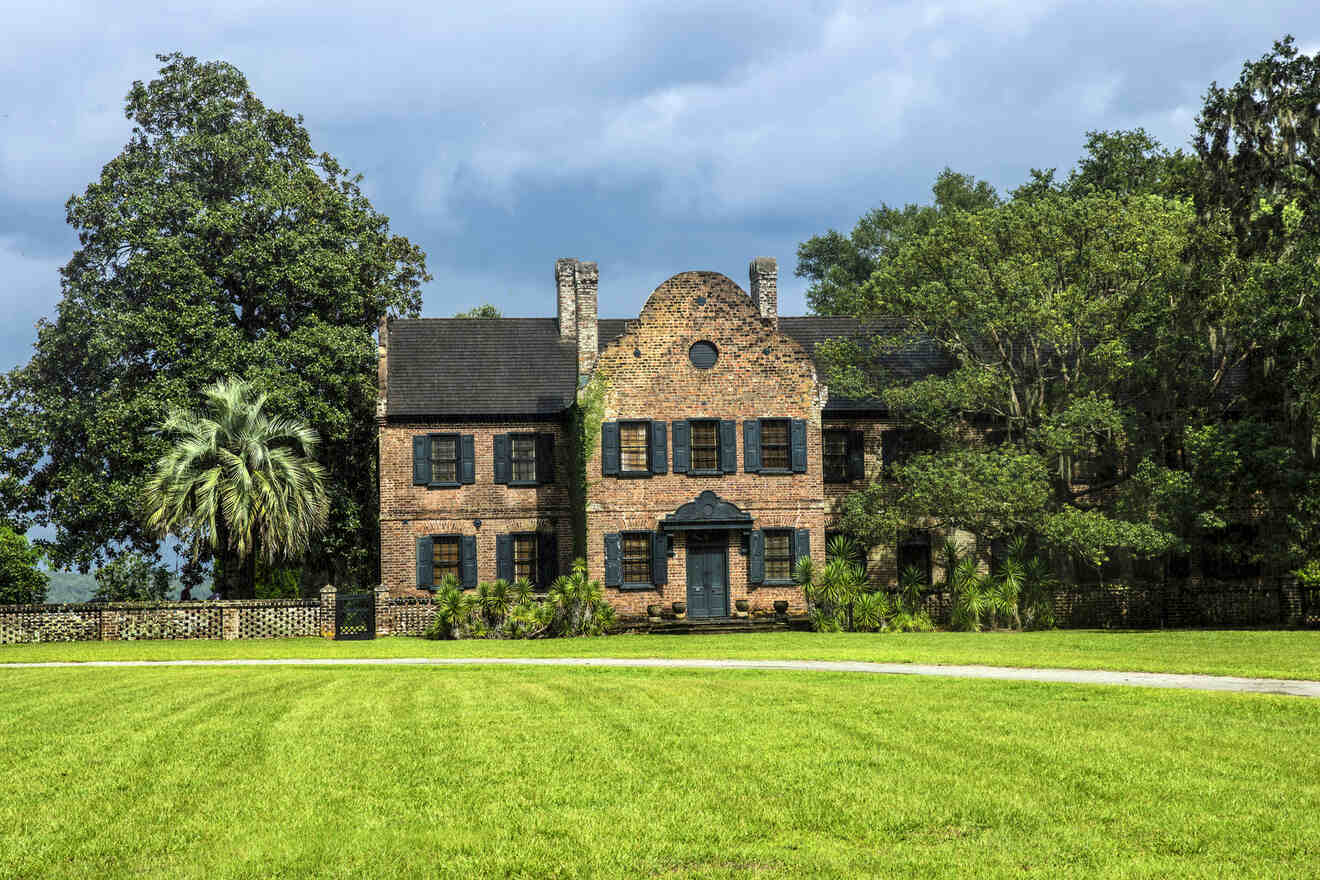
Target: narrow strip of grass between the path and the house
1259, 654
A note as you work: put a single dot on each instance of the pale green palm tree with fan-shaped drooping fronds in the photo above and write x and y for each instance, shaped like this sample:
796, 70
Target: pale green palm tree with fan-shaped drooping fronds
241, 482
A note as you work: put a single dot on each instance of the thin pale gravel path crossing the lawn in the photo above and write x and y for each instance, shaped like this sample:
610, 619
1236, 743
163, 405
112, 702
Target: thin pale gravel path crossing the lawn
1003, 674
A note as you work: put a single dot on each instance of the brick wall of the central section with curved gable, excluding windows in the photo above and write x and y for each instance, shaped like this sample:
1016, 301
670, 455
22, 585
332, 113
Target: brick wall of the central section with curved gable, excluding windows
760, 374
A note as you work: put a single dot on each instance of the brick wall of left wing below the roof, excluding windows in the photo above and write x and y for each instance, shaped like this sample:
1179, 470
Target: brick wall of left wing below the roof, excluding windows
409, 513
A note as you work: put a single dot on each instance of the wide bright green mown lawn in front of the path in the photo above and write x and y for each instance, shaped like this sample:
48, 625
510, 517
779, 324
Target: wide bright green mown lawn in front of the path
477, 772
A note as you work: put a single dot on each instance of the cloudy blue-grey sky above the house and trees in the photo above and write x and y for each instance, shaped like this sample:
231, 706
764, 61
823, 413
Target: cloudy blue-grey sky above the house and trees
653, 138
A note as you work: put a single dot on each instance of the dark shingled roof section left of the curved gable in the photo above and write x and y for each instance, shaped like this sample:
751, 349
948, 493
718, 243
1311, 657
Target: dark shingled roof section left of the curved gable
480, 367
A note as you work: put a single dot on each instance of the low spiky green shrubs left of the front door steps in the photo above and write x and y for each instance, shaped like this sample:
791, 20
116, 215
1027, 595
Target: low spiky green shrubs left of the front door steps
575, 606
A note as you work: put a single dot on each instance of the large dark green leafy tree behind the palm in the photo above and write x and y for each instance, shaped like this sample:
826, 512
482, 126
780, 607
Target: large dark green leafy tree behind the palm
218, 243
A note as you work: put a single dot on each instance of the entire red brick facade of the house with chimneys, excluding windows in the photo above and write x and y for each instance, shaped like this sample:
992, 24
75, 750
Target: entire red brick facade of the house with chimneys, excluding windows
760, 374
